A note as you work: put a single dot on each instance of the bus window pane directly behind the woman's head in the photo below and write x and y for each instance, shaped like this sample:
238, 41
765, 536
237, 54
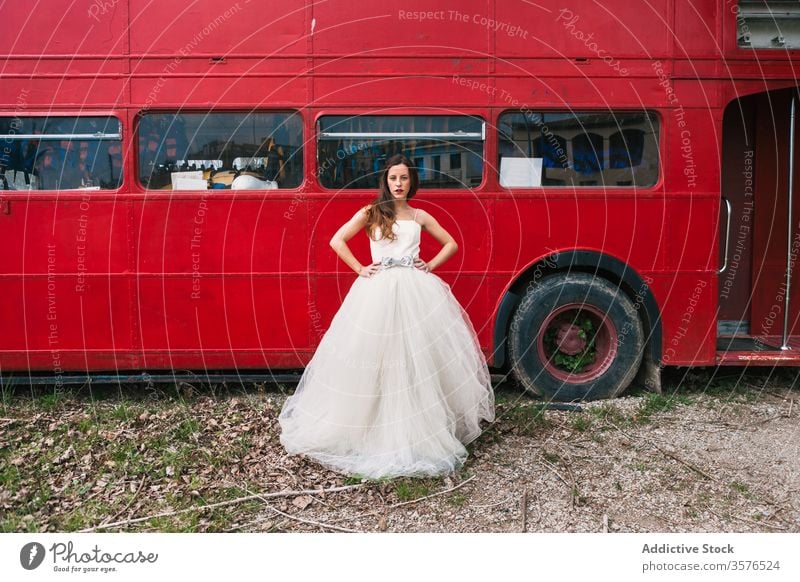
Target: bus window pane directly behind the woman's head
447, 150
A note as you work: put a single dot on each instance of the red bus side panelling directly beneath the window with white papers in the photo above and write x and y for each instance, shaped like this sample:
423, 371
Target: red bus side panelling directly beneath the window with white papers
221, 274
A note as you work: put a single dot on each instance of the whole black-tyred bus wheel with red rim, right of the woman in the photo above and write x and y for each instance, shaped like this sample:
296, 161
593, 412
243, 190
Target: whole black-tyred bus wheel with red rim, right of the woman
575, 337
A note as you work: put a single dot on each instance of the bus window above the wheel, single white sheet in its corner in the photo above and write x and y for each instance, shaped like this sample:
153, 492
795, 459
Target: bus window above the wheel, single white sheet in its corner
589, 149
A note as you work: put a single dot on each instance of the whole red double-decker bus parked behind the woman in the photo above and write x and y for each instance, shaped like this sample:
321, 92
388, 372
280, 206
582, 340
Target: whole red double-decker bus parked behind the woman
620, 181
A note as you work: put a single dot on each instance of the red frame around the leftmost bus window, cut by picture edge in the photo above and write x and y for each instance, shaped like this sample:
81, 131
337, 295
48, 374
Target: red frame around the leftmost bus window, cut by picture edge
117, 114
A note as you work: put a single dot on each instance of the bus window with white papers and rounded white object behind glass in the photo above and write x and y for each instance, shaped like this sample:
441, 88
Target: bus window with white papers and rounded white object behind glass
230, 150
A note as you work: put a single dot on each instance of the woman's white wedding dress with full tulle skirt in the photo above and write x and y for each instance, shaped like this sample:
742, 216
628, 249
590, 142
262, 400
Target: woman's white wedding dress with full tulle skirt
398, 384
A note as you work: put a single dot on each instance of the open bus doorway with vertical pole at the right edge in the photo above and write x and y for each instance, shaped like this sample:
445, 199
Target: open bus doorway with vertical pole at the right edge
759, 286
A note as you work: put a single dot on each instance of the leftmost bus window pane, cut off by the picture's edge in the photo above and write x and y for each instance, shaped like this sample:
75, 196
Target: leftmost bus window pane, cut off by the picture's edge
60, 153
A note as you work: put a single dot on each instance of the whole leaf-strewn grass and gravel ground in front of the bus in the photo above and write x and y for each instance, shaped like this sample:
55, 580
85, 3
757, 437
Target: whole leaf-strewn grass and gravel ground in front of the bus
718, 451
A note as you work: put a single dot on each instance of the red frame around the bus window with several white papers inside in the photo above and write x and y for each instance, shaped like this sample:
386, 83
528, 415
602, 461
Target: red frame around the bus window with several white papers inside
277, 192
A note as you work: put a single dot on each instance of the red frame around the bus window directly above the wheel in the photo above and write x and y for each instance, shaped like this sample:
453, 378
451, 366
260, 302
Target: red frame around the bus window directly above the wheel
657, 185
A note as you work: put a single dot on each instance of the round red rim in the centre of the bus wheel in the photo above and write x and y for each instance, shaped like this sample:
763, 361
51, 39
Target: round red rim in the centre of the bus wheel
571, 356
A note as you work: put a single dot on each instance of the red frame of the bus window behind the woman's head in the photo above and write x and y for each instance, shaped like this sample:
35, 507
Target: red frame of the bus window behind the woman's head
482, 113
